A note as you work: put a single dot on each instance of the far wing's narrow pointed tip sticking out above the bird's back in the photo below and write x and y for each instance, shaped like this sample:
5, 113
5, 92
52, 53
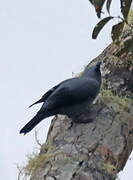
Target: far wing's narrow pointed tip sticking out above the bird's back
45, 96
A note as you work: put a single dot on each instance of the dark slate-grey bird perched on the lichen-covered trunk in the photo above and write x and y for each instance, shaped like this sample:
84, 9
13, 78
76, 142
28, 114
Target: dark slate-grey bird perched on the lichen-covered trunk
70, 97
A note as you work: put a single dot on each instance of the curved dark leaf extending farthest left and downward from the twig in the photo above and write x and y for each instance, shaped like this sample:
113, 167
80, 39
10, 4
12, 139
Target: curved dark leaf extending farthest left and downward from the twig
99, 26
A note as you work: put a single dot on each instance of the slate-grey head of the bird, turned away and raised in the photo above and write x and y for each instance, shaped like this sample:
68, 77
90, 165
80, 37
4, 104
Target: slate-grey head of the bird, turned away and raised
93, 71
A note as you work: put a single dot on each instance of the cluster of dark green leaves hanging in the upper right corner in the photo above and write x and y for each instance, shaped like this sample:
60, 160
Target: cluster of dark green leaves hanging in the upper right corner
116, 29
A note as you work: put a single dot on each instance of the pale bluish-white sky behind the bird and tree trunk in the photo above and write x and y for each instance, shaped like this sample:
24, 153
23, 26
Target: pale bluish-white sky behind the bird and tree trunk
42, 42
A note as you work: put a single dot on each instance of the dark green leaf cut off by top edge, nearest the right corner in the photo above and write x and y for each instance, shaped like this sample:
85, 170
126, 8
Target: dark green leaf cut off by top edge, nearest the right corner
125, 7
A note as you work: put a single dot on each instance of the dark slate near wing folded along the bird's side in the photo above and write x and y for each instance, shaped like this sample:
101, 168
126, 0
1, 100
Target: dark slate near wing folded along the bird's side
71, 92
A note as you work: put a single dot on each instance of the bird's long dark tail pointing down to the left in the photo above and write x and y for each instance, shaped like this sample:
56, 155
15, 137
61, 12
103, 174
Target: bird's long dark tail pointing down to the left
32, 123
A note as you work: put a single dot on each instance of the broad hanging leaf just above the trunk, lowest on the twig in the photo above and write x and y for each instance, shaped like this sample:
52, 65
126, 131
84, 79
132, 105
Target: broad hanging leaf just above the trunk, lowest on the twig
117, 30
